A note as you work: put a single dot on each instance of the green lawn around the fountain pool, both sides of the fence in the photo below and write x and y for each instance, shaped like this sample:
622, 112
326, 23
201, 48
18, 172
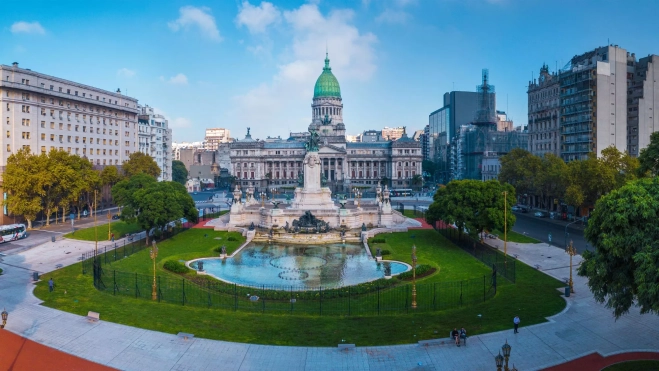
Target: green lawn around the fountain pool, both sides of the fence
533, 298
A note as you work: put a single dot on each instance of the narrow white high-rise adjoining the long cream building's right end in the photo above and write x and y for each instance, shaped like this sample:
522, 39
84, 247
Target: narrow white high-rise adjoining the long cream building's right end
155, 140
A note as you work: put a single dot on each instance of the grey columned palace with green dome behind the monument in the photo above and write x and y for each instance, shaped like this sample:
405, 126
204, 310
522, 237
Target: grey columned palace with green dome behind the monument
276, 164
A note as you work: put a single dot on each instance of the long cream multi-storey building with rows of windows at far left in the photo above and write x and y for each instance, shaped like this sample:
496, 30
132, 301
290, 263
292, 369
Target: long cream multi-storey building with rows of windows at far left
42, 112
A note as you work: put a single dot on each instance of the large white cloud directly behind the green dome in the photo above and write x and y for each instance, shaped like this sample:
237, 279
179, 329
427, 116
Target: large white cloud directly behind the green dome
268, 108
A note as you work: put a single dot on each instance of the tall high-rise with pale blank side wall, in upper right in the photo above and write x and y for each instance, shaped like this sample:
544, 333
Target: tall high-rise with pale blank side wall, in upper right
593, 102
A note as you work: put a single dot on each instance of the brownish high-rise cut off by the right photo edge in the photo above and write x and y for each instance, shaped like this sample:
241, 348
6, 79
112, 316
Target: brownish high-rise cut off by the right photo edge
642, 102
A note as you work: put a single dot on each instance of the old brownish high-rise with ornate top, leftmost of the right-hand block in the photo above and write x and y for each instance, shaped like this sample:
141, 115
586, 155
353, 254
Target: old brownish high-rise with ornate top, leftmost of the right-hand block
544, 113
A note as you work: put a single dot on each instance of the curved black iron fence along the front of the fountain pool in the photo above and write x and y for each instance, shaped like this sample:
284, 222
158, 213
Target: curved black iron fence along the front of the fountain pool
370, 299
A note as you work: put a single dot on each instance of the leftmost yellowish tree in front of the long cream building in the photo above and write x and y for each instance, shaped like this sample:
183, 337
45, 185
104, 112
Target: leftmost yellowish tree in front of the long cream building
21, 182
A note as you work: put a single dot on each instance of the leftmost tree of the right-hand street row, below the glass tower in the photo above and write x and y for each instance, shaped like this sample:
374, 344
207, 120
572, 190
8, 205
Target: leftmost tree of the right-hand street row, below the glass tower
518, 168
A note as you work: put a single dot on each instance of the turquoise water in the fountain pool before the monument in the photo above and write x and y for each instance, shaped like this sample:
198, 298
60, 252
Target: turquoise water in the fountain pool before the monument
299, 267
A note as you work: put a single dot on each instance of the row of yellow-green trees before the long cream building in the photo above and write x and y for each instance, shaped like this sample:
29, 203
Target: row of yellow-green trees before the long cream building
60, 183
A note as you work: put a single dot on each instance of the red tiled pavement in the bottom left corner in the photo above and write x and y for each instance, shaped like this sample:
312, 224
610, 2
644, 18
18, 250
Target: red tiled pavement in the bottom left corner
18, 353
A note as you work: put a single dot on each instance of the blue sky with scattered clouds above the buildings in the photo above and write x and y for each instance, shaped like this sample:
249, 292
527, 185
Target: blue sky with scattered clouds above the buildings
236, 64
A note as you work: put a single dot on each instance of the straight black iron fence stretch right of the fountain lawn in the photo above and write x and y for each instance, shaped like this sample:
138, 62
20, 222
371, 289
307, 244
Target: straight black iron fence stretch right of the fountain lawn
503, 265
